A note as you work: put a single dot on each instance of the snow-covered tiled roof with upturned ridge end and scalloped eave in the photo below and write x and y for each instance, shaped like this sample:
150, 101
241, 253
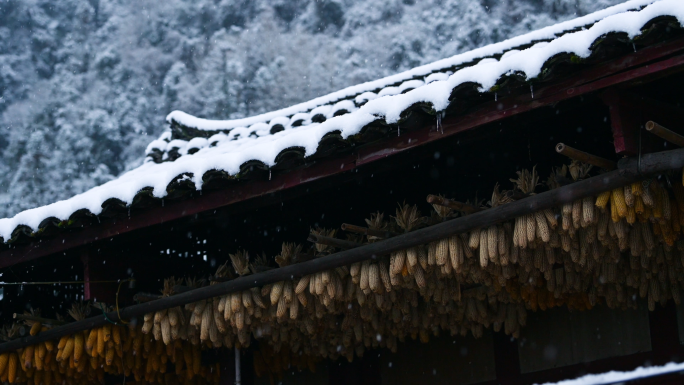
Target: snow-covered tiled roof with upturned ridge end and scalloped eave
211, 148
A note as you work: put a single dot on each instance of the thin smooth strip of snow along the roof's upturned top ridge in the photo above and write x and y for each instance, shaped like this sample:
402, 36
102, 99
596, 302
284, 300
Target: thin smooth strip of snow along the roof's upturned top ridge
547, 33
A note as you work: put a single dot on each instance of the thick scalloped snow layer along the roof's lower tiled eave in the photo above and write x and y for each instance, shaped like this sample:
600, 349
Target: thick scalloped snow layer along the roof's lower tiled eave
231, 151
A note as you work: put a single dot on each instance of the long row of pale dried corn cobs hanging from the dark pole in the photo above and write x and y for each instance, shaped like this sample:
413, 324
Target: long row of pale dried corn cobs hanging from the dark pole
612, 249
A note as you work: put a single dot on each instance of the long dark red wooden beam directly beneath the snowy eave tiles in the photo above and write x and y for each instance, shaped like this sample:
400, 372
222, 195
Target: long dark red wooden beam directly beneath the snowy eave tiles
655, 60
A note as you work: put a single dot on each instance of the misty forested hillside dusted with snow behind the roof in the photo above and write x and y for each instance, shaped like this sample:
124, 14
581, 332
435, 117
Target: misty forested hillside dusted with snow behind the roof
85, 86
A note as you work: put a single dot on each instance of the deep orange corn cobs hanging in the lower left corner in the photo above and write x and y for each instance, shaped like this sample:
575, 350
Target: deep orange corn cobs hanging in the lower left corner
85, 358
